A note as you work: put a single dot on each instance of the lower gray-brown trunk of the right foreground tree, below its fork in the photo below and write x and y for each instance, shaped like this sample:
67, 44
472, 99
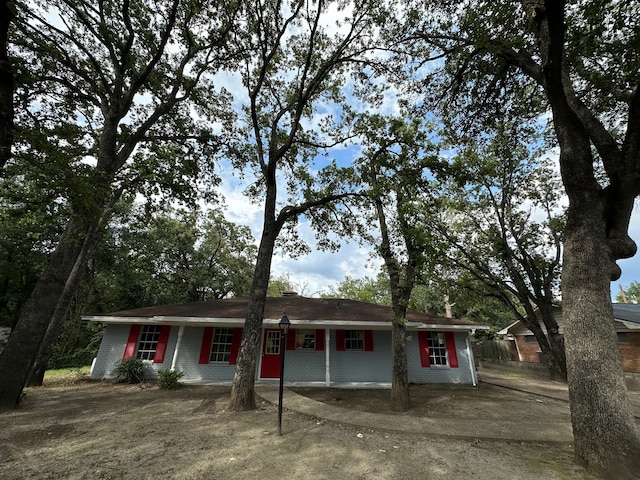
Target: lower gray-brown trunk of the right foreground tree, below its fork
606, 437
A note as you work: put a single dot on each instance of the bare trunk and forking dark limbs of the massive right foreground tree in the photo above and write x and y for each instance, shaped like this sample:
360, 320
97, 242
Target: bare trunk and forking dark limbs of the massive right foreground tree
606, 436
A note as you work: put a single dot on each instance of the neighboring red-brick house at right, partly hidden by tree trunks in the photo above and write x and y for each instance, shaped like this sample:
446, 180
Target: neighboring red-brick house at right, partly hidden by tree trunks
627, 322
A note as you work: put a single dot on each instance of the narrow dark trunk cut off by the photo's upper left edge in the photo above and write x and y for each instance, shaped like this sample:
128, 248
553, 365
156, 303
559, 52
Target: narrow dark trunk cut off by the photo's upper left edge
7, 12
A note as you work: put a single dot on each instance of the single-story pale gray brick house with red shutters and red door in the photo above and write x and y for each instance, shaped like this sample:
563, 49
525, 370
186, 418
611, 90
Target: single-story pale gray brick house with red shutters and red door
331, 341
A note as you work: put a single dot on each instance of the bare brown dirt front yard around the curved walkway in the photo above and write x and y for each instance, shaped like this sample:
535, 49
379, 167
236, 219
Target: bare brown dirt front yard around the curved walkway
98, 430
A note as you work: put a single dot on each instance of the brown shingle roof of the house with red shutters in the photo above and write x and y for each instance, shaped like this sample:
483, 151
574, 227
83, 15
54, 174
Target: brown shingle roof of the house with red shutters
296, 308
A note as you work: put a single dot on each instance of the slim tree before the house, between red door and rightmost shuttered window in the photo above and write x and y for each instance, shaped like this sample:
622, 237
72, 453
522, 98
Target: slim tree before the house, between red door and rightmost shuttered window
396, 162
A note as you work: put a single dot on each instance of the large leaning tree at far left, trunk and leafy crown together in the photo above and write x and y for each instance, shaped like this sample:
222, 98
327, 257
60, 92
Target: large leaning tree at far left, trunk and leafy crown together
122, 89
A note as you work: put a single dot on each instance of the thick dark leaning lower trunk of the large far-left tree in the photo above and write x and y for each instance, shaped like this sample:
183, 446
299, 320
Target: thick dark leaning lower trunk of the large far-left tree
51, 297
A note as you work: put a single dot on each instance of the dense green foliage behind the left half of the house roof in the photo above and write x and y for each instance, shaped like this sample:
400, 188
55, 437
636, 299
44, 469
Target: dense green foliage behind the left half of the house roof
171, 257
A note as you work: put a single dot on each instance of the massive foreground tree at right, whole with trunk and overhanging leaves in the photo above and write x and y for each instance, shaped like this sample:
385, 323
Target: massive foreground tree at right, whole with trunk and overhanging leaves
579, 62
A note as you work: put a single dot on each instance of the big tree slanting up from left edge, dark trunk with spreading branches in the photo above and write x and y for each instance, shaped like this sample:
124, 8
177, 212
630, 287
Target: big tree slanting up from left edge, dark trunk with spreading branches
102, 69
